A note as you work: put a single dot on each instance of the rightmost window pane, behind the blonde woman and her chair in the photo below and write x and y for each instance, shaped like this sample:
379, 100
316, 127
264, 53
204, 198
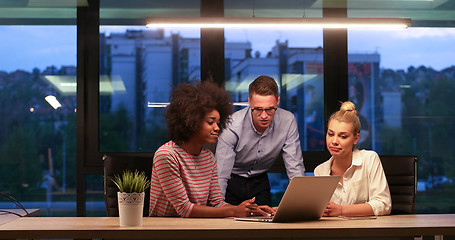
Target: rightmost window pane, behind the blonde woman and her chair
402, 82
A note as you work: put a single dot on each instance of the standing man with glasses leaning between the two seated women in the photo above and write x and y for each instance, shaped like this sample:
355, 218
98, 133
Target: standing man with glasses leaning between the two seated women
249, 145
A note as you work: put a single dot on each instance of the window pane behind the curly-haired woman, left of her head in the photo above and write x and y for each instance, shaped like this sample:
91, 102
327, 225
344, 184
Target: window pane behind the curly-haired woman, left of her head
138, 67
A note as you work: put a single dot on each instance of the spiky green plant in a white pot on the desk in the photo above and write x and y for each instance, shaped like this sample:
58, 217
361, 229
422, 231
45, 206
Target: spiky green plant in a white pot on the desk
132, 186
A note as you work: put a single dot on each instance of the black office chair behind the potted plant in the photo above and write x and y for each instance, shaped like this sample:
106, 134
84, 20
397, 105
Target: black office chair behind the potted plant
115, 164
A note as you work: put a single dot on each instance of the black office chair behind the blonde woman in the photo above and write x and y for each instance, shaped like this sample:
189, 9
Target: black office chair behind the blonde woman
401, 174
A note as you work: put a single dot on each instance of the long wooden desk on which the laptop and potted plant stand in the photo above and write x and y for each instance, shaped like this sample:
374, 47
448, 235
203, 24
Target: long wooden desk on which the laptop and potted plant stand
227, 228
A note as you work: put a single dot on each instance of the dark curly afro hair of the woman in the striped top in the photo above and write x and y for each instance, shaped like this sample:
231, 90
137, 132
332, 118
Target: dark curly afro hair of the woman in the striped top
189, 105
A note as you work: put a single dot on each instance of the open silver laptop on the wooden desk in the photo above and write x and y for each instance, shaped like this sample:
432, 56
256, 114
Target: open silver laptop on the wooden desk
305, 199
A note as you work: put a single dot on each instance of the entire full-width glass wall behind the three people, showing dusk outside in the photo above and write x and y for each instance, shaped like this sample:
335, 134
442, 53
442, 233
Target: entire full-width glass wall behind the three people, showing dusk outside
401, 82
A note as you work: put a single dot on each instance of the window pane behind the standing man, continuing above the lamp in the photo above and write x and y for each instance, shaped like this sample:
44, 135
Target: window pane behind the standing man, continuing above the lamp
293, 57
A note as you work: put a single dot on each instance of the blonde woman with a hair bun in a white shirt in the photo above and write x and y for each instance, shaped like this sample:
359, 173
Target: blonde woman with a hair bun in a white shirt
363, 188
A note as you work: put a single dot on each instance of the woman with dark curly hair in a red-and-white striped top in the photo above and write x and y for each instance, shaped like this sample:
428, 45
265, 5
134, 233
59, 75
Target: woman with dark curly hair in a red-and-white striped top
184, 174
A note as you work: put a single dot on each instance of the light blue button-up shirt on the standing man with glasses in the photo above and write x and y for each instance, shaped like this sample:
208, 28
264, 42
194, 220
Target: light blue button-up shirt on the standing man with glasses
245, 152
